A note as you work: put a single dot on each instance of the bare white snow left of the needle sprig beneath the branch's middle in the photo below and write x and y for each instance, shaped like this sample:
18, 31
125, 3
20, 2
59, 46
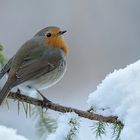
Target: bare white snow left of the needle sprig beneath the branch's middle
64, 127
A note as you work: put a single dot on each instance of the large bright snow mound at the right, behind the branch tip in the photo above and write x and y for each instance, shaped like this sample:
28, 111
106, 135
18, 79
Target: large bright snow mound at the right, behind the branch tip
119, 95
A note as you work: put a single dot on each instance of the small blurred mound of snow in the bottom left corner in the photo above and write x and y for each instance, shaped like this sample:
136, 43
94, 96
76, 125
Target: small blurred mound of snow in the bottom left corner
9, 134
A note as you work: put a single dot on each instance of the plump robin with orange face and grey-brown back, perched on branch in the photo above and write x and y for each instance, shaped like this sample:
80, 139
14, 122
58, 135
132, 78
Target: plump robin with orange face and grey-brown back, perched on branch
39, 63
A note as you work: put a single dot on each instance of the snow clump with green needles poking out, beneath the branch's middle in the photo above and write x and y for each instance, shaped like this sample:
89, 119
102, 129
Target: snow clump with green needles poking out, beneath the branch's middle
68, 126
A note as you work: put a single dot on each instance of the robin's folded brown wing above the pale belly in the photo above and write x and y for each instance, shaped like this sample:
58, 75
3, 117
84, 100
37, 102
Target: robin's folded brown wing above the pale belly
35, 68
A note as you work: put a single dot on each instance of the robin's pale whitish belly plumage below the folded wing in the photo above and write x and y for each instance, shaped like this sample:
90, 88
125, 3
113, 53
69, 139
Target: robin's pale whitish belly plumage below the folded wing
48, 79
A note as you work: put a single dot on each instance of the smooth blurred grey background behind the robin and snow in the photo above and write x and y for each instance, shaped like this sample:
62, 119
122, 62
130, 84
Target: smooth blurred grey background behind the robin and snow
103, 35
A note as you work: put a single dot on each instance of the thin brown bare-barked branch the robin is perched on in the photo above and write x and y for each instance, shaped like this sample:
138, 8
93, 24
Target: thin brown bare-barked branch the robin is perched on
64, 109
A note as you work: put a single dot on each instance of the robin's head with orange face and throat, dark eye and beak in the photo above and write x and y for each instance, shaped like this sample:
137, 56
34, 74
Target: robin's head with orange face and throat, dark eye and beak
53, 36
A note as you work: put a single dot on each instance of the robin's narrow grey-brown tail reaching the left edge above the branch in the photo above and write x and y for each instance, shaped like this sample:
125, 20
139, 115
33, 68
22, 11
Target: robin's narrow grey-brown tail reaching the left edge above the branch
4, 92
